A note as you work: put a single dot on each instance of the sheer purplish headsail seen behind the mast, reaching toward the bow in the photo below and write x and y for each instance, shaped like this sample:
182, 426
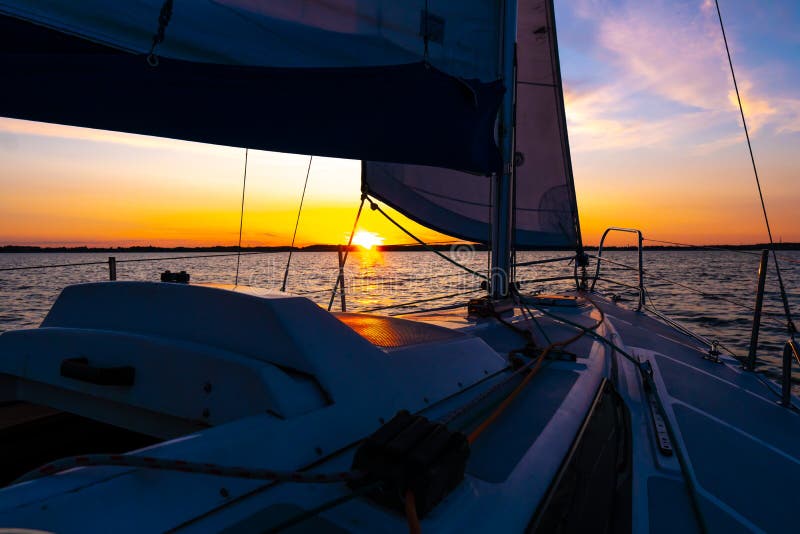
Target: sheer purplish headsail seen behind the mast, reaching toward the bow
458, 203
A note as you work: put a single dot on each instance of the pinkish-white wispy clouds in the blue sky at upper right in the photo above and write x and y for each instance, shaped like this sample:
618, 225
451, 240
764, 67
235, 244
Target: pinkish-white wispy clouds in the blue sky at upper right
665, 78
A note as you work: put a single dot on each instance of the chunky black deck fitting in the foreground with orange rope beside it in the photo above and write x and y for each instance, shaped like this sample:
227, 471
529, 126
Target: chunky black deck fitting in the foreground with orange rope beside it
412, 454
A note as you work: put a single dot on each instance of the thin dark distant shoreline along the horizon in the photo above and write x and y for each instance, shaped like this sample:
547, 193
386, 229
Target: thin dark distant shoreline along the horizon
386, 248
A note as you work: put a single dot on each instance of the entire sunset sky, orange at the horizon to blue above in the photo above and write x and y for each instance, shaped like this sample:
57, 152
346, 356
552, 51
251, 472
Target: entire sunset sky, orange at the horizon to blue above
655, 134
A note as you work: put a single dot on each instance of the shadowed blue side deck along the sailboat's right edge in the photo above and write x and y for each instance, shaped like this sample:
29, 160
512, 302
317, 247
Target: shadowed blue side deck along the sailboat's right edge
741, 446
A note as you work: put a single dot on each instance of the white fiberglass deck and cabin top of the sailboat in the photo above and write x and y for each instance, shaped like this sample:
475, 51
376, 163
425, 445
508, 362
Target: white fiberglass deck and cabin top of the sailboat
742, 449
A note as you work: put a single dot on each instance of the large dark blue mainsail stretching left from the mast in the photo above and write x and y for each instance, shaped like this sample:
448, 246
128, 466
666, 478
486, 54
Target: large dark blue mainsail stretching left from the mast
410, 81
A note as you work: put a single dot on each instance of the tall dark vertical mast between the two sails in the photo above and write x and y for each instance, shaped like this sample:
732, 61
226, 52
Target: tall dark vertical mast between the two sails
502, 193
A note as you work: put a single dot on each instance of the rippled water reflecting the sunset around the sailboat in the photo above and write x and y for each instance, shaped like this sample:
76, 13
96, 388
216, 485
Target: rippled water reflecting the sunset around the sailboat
376, 280
